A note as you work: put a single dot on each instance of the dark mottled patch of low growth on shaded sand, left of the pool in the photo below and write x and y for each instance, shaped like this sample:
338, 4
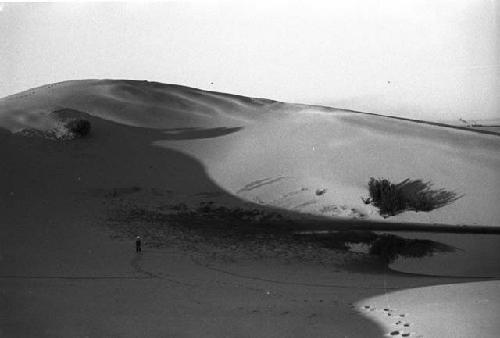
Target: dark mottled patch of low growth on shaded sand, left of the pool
220, 232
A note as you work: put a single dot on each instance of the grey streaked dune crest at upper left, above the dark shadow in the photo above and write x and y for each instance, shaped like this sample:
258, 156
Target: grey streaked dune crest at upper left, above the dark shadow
136, 103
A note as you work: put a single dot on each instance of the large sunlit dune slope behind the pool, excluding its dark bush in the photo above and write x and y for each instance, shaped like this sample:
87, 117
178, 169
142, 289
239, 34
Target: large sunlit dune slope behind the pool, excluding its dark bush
280, 154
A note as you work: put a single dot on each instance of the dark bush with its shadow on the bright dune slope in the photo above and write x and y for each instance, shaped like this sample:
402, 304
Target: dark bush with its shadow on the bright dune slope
393, 199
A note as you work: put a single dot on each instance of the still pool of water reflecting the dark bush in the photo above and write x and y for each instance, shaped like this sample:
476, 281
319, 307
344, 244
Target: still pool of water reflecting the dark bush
438, 254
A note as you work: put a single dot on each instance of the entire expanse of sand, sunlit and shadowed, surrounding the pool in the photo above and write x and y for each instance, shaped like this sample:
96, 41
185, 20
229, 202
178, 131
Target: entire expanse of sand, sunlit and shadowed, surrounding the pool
67, 261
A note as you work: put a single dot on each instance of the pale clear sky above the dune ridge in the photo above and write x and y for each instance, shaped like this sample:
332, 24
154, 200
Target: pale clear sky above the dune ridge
436, 59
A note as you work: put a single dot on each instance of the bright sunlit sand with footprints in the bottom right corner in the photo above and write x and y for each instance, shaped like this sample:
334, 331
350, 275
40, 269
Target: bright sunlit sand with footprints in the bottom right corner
463, 310
